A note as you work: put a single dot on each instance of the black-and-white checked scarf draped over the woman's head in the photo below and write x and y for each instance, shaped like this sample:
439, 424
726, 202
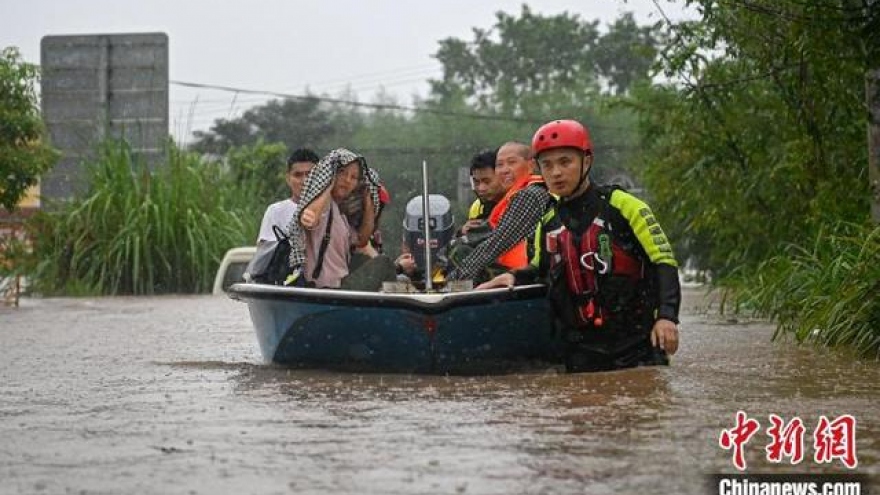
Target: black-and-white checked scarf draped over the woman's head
319, 179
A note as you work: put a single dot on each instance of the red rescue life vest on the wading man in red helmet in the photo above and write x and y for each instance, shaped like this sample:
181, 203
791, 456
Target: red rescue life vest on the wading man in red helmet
589, 262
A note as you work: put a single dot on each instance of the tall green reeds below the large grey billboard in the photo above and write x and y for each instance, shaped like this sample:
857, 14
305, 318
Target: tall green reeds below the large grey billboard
137, 232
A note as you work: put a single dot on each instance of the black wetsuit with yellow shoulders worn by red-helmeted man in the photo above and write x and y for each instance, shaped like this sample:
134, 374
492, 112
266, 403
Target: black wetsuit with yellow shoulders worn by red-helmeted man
622, 338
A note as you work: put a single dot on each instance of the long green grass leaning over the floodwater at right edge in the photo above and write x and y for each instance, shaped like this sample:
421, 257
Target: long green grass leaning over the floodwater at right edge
828, 293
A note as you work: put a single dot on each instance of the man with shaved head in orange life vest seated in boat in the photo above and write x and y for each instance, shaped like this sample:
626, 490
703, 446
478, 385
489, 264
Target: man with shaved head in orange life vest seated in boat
513, 219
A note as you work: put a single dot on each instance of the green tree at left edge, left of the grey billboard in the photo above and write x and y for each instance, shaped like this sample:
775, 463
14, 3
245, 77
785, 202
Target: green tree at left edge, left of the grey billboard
24, 154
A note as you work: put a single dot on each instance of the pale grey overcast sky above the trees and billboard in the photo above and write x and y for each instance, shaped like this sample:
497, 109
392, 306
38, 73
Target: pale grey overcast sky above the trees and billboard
326, 46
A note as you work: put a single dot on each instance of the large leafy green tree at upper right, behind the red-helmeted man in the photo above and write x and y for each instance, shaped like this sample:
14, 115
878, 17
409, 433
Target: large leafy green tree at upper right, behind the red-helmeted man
761, 144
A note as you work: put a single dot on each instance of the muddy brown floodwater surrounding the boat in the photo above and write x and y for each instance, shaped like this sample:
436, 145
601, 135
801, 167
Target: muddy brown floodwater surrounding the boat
169, 395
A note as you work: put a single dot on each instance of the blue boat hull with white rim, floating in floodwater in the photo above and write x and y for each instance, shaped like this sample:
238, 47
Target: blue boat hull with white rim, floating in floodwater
476, 332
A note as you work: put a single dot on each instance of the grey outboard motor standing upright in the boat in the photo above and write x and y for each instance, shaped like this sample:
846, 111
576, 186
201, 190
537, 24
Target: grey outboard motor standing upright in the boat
441, 224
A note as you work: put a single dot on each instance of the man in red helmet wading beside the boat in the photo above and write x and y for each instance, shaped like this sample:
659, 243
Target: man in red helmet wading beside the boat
612, 276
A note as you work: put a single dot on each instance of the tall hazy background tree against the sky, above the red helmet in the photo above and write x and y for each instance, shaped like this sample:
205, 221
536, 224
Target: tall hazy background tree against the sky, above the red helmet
513, 67
